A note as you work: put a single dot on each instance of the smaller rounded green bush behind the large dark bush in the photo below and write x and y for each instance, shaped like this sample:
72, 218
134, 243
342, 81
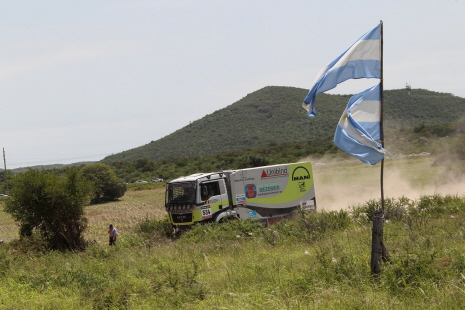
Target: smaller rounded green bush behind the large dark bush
106, 185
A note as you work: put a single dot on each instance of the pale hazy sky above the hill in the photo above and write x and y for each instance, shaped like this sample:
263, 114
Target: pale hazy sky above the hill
80, 80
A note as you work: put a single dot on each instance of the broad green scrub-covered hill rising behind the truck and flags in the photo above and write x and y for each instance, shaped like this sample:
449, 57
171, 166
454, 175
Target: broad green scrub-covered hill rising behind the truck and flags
274, 115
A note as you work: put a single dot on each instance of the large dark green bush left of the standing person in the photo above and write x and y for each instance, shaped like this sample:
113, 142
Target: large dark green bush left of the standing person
51, 205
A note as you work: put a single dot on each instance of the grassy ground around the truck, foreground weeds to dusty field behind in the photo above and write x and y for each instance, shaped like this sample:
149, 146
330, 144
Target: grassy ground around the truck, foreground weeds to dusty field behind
314, 261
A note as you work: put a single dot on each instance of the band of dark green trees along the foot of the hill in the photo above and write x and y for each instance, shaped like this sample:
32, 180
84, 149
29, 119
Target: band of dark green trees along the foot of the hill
441, 141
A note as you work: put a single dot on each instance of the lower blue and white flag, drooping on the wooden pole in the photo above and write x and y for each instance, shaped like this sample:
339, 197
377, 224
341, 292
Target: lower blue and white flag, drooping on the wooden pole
359, 127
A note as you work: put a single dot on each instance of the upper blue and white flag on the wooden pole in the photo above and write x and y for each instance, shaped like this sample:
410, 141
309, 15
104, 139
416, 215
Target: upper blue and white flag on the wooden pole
361, 60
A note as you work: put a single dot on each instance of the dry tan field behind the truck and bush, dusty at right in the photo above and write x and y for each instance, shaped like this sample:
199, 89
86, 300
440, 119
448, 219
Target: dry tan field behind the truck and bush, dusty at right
337, 185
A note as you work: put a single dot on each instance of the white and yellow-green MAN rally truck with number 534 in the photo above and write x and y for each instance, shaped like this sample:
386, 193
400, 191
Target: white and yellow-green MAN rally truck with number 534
268, 194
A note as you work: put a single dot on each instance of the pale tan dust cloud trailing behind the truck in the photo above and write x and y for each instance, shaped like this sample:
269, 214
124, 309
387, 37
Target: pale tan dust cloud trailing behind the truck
342, 183
